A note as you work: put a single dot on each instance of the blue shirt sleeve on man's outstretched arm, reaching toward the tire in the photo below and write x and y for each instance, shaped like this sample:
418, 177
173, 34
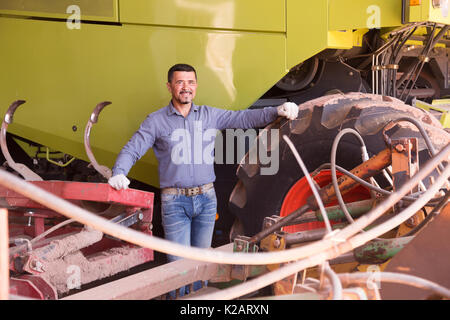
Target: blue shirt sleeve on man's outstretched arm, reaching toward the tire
245, 119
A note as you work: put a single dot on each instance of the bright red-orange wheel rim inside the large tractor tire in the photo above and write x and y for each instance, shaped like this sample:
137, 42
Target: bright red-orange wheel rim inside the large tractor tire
300, 192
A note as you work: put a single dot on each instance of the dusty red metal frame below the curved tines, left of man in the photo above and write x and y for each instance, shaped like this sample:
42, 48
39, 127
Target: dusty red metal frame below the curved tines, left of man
103, 254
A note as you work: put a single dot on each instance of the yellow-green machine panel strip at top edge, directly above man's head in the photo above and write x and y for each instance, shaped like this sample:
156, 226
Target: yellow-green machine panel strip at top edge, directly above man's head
258, 15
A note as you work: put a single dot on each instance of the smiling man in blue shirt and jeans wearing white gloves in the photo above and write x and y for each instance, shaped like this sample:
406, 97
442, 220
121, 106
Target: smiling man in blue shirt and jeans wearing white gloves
188, 199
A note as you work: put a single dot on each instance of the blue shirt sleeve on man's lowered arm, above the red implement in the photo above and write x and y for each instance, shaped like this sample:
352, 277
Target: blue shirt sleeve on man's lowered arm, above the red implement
142, 140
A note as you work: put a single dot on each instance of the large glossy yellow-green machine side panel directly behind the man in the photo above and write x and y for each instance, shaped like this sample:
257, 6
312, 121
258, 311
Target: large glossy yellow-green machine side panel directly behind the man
63, 74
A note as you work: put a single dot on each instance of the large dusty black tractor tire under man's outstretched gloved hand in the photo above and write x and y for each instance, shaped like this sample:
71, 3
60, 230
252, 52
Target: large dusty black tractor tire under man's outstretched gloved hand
257, 196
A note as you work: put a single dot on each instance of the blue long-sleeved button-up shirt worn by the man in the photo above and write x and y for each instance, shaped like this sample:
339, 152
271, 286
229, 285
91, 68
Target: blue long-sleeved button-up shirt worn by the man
173, 139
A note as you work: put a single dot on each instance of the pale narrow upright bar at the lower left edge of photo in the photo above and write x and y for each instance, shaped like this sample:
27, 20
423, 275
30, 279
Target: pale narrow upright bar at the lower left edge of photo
4, 256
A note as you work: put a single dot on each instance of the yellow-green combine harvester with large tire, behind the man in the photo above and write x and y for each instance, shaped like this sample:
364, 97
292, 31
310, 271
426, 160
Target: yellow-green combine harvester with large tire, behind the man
347, 64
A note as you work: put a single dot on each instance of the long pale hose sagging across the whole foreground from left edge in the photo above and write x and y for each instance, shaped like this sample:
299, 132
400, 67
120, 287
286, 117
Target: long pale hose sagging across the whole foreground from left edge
68, 209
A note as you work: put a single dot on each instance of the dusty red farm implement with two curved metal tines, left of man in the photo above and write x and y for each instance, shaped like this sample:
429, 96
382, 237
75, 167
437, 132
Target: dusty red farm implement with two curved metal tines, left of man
50, 254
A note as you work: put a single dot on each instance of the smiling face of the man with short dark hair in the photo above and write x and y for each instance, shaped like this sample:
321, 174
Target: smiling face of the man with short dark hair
183, 87
